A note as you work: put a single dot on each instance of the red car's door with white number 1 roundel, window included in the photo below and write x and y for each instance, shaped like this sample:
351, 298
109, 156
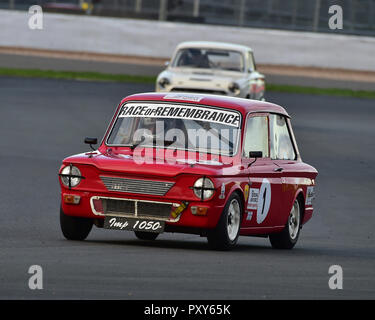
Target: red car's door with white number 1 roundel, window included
264, 192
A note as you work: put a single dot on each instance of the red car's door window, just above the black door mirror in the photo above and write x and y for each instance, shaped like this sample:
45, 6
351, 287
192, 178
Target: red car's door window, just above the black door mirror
256, 136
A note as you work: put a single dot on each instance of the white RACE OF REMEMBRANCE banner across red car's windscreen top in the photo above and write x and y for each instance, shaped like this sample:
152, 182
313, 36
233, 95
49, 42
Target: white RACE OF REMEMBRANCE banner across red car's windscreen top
157, 110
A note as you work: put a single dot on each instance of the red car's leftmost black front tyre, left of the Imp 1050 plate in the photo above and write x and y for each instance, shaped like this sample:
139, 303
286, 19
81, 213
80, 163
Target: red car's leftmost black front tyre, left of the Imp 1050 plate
75, 228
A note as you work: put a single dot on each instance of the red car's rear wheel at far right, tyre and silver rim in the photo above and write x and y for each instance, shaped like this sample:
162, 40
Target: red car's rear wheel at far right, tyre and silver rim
287, 238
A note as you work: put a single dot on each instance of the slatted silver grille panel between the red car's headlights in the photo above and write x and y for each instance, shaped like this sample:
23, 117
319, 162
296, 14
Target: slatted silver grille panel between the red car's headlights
149, 187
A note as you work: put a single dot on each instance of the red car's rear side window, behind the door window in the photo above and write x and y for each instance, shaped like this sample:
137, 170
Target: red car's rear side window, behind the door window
281, 143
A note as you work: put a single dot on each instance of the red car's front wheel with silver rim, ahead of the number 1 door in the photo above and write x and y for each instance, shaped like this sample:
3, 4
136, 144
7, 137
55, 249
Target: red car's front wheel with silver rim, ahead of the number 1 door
225, 235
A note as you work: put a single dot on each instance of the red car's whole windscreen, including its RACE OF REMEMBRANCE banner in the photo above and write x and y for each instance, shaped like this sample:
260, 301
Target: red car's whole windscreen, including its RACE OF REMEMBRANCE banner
186, 127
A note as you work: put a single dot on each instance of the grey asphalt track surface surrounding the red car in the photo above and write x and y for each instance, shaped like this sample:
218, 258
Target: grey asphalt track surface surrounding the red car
42, 121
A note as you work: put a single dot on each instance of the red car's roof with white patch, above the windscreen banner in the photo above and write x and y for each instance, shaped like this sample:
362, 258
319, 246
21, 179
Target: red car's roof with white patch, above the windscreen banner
239, 104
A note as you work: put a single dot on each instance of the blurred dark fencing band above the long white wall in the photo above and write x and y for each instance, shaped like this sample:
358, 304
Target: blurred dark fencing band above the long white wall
303, 15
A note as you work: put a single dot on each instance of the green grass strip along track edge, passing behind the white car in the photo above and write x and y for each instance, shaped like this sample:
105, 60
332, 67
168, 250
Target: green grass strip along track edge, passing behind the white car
97, 76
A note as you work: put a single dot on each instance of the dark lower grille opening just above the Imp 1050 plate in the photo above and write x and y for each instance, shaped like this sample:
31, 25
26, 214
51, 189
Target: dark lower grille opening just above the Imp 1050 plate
136, 208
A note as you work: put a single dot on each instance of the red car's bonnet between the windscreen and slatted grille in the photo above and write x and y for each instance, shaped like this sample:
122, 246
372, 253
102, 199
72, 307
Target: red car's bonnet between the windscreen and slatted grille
127, 164
